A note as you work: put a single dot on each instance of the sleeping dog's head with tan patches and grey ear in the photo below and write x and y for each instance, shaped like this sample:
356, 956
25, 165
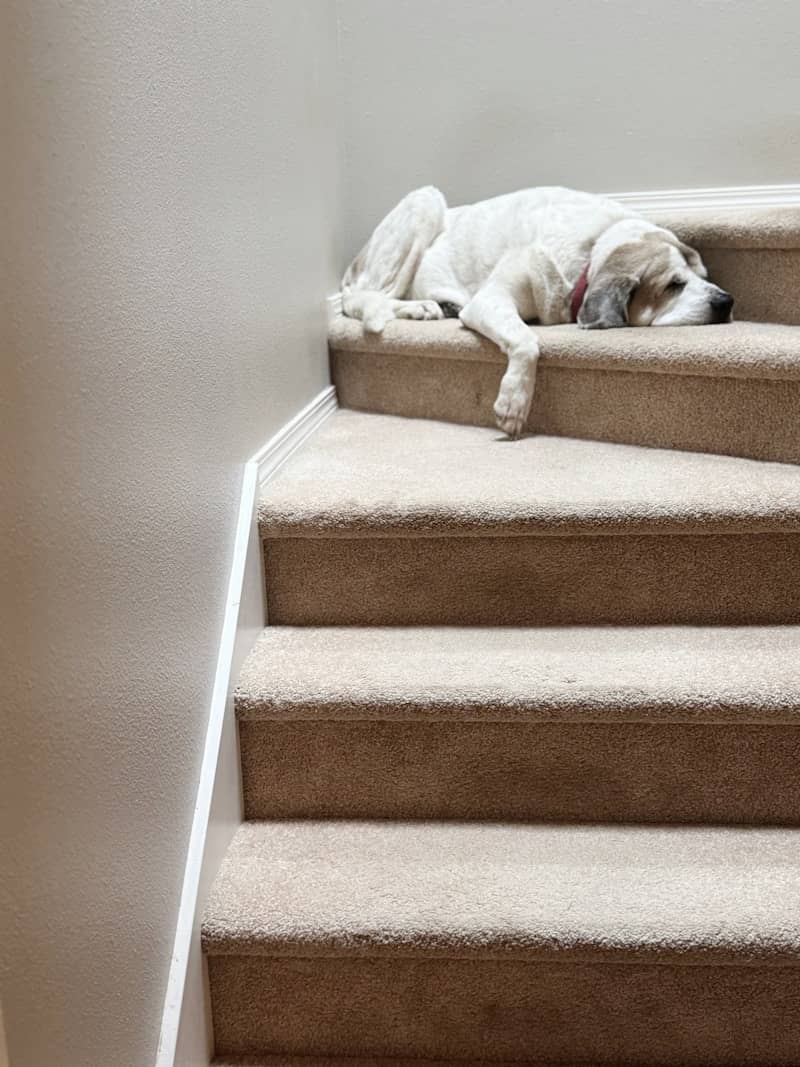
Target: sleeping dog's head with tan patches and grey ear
651, 279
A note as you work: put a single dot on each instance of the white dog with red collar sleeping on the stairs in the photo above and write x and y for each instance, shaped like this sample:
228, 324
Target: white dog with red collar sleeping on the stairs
543, 256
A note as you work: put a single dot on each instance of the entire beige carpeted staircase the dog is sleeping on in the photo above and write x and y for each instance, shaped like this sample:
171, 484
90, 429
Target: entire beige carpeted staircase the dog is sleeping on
521, 745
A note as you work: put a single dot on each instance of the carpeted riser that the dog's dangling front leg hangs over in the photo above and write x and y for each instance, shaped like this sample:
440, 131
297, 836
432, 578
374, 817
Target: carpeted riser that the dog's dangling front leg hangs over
755, 419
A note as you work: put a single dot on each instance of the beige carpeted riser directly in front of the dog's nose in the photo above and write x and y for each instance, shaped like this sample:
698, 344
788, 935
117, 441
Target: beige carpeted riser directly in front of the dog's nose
762, 281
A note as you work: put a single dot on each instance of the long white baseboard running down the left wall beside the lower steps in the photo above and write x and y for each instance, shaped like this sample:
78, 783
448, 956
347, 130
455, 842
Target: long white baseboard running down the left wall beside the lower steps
185, 1039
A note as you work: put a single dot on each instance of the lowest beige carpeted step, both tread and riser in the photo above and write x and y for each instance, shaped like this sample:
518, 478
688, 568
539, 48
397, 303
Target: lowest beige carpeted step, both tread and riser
472, 942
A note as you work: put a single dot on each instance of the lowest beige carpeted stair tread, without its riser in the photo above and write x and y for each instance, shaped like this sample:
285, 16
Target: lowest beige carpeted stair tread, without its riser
562, 894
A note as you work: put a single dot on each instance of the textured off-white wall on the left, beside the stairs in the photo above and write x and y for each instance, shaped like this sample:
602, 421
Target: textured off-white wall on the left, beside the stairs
170, 189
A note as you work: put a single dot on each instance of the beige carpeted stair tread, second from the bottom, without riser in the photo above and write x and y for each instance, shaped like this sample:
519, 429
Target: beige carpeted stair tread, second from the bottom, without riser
742, 675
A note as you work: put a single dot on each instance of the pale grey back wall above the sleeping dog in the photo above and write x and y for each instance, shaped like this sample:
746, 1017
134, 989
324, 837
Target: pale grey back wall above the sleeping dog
486, 97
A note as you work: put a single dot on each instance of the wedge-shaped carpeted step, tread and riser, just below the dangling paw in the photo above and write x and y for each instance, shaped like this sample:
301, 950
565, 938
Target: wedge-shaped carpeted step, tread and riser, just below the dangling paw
385, 521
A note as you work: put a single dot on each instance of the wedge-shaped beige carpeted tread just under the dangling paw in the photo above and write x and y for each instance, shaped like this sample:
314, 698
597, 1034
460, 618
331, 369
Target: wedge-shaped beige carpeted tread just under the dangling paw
370, 475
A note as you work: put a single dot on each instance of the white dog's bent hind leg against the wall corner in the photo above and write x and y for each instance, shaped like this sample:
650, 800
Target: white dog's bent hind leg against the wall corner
377, 284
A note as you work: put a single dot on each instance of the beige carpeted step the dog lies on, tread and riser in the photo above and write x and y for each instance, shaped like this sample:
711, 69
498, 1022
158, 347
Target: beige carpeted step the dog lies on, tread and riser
732, 390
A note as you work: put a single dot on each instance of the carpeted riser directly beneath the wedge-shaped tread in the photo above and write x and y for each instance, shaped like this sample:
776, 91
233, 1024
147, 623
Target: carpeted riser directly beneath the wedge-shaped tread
537, 581
